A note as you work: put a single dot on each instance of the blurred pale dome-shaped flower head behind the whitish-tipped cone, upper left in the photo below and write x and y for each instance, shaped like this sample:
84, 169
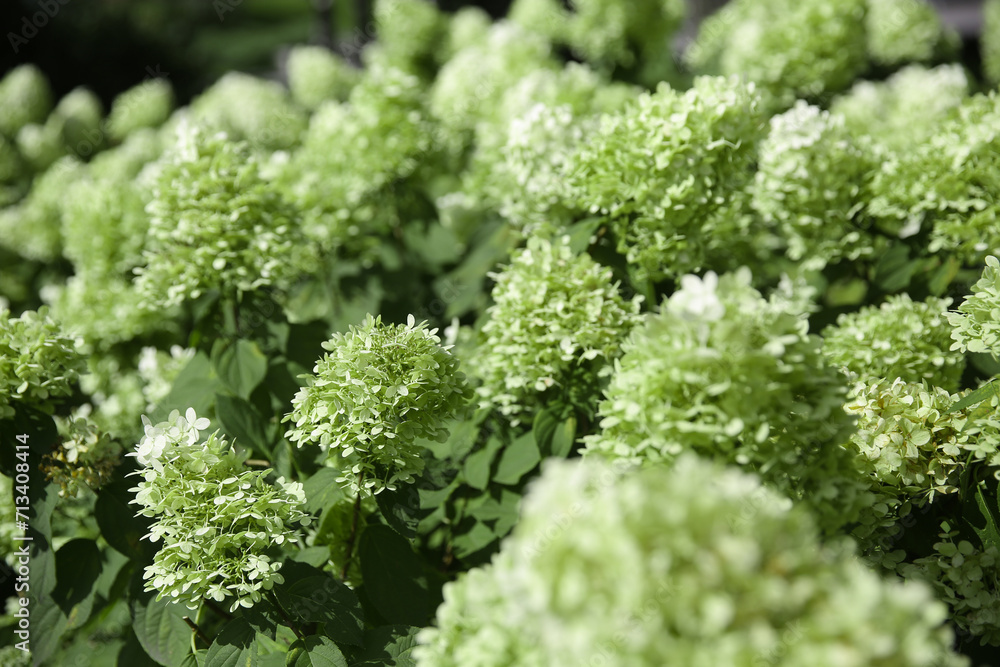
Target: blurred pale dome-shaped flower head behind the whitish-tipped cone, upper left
255, 110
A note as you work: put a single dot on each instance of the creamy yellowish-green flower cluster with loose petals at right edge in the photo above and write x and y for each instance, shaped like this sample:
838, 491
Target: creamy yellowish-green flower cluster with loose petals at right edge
909, 440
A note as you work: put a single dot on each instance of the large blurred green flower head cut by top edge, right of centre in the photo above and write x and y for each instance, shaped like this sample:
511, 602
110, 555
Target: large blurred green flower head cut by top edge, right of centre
790, 48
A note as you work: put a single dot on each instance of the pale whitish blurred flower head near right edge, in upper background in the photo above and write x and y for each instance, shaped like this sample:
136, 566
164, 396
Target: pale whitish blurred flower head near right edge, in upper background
905, 109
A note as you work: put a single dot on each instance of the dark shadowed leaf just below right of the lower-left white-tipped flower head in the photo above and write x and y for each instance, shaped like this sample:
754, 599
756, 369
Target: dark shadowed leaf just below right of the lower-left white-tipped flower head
312, 596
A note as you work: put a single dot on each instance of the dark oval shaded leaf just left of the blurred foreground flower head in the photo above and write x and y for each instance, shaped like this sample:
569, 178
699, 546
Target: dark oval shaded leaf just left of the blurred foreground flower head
395, 582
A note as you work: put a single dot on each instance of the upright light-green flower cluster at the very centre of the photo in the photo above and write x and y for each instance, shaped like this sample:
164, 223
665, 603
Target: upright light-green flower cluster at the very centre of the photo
555, 326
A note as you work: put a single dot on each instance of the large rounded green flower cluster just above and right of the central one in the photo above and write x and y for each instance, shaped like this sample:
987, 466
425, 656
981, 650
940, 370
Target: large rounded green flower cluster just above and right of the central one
669, 171
